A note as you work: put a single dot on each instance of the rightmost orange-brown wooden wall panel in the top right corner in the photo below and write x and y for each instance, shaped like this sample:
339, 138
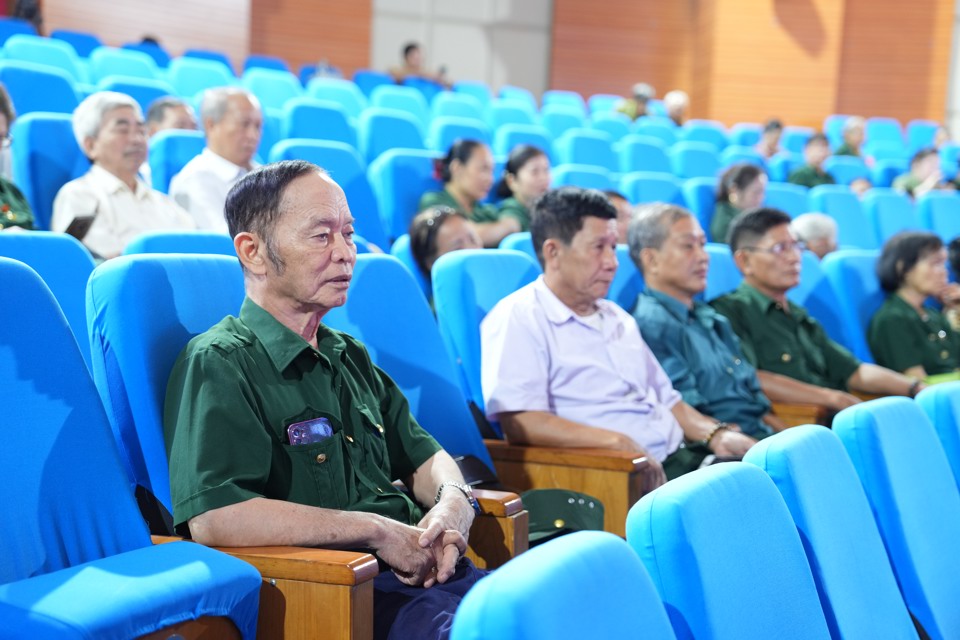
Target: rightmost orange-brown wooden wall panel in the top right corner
896, 59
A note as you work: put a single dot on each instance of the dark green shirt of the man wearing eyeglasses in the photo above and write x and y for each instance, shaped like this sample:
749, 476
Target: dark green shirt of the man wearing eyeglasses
789, 343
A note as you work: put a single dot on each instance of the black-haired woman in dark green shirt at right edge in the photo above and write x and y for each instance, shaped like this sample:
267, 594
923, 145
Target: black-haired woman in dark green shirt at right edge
906, 334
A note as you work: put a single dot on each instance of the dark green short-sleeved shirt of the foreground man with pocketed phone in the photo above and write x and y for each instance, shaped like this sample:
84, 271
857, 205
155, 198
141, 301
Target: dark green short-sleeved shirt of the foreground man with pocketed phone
235, 390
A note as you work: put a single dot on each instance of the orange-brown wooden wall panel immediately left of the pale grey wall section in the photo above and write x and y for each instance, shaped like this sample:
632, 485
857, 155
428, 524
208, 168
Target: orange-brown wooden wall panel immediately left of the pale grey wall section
305, 31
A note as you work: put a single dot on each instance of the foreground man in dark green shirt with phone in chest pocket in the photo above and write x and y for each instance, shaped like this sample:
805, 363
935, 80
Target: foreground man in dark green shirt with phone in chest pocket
281, 431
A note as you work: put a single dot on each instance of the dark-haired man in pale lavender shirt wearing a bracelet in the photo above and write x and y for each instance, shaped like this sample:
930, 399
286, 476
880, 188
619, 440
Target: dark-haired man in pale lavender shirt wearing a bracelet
563, 367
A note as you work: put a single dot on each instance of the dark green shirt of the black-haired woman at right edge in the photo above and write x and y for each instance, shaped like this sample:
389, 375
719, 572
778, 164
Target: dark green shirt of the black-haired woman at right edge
899, 339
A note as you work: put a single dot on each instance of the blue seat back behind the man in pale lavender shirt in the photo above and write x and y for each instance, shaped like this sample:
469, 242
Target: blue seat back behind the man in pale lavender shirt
466, 286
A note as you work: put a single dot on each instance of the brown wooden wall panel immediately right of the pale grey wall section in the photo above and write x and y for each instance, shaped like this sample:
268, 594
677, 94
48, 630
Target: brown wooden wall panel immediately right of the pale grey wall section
608, 46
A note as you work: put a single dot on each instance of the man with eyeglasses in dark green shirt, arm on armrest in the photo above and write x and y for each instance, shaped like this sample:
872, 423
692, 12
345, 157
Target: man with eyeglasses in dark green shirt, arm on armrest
796, 362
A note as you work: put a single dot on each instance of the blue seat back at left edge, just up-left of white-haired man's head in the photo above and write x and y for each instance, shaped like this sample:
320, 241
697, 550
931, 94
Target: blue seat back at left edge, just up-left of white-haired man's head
37, 87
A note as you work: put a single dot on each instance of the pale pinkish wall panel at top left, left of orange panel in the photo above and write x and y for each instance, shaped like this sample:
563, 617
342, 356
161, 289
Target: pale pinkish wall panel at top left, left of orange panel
223, 25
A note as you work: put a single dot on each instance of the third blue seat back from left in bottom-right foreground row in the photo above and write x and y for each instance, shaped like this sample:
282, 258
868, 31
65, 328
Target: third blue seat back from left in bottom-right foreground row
858, 591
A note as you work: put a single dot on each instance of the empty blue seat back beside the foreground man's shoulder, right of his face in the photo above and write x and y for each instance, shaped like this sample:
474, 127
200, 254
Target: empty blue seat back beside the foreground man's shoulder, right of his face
385, 311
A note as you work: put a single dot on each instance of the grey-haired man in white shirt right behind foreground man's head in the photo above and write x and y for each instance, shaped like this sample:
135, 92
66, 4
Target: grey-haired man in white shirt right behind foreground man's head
233, 123
